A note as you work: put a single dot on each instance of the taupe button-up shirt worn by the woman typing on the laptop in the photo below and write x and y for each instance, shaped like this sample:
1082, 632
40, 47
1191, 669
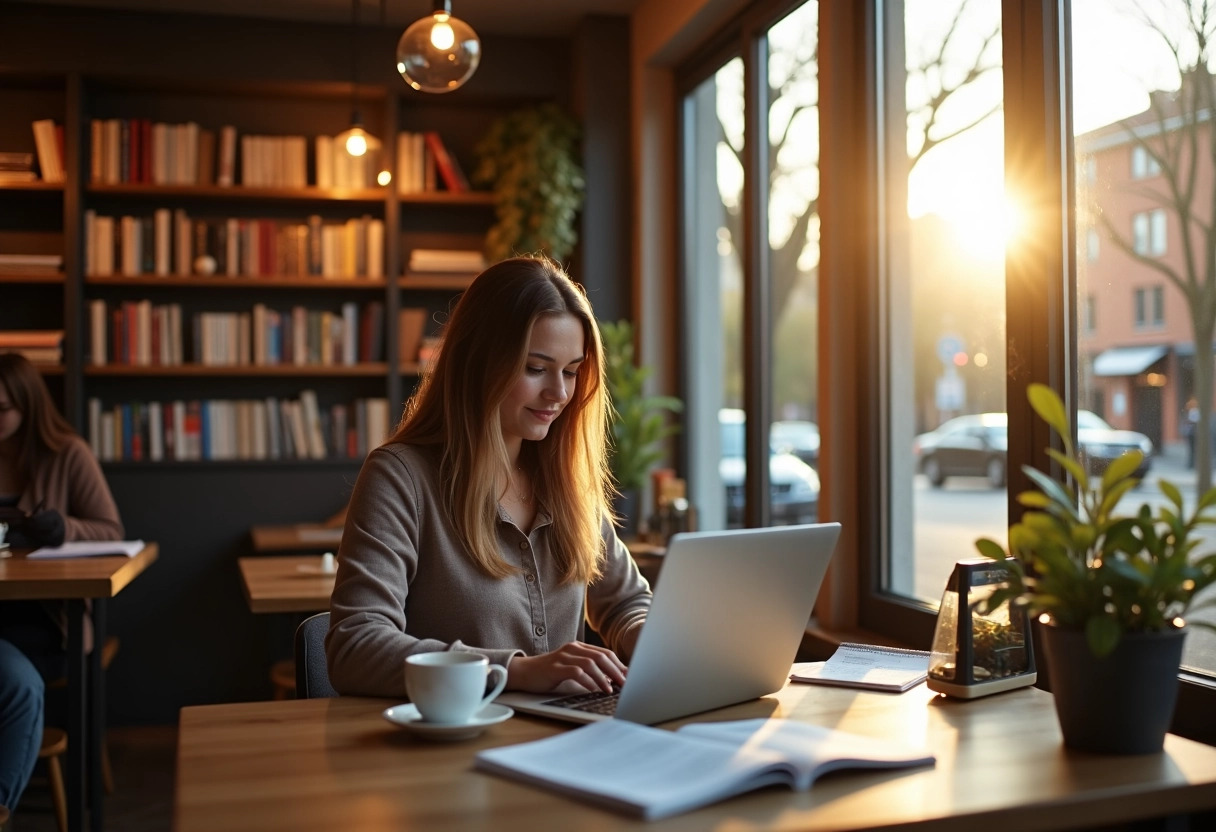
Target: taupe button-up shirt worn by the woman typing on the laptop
406, 584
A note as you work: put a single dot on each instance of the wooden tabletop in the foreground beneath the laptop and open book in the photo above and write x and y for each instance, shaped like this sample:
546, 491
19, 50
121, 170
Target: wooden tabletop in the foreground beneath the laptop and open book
1001, 767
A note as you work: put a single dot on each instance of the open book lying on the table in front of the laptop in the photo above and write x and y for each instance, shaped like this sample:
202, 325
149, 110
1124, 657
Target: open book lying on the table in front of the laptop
652, 773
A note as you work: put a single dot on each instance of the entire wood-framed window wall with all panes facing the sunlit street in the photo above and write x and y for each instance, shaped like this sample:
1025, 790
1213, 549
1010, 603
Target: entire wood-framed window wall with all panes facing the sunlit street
936, 293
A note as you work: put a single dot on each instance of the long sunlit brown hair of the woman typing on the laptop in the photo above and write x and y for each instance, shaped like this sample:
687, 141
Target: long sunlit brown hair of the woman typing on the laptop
457, 407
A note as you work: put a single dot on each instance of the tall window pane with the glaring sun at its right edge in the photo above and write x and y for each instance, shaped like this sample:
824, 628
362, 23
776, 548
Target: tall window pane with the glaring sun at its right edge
948, 223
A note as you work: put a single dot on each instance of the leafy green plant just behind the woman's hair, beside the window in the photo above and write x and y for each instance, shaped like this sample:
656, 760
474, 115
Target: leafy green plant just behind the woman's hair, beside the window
639, 421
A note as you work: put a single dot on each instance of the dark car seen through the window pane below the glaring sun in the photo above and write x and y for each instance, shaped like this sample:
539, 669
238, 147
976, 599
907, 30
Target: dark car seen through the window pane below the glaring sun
975, 446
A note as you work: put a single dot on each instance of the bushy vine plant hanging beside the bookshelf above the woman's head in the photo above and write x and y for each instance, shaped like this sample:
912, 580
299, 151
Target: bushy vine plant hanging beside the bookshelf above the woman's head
531, 158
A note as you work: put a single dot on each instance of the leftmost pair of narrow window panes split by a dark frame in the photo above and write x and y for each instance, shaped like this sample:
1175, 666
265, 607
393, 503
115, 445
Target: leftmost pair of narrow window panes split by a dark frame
734, 267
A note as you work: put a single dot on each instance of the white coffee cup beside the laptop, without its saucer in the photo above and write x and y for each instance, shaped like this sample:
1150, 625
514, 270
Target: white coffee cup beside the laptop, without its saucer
449, 688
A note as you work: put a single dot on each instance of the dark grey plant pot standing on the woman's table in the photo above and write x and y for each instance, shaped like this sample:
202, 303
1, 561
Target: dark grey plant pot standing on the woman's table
1118, 705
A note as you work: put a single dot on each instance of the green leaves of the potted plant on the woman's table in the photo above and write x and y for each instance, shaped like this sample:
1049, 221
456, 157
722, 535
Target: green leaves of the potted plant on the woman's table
1090, 569
